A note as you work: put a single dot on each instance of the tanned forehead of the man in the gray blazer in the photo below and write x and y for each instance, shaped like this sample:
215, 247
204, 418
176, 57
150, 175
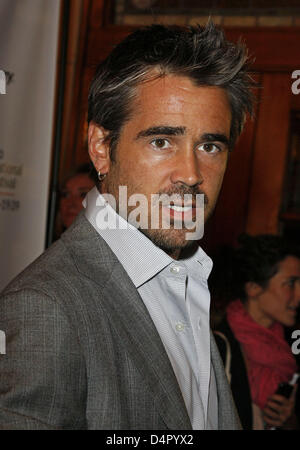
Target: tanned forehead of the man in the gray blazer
181, 102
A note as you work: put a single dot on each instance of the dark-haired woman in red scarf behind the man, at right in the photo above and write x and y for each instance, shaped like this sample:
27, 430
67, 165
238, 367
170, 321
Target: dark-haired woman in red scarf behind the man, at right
261, 281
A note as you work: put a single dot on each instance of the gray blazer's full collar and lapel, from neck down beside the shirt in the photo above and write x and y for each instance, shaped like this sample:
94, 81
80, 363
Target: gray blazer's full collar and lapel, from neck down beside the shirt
131, 320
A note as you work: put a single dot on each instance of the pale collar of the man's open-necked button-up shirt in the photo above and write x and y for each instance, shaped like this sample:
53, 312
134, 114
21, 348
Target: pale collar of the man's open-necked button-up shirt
140, 257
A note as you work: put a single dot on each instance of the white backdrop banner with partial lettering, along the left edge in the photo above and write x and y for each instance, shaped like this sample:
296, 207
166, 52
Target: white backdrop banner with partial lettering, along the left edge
28, 51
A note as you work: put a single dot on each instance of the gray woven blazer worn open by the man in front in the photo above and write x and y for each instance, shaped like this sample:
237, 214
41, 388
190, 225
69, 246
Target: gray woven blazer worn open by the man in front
82, 351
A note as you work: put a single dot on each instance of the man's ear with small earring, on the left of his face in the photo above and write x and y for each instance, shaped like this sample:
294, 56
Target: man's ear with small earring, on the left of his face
99, 148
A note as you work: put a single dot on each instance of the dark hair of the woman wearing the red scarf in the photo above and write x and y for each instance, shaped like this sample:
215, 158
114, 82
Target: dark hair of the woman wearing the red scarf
256, 259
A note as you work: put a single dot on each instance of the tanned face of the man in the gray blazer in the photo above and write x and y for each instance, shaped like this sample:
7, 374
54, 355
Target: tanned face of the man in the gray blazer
176, 142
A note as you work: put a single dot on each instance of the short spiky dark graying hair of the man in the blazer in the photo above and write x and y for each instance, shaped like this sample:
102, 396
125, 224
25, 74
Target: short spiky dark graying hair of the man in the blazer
199, 53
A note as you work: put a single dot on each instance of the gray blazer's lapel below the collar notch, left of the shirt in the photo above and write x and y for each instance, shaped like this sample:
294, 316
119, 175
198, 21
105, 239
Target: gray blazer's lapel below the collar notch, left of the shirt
142, 341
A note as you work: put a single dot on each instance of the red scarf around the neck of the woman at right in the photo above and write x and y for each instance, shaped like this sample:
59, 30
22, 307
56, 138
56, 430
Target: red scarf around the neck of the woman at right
270, 360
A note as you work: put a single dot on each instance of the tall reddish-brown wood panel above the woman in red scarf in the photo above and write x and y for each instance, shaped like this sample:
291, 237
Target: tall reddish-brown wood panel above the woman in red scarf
271, 145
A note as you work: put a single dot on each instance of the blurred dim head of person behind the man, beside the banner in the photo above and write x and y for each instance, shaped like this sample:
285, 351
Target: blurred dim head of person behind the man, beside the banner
74, 189
